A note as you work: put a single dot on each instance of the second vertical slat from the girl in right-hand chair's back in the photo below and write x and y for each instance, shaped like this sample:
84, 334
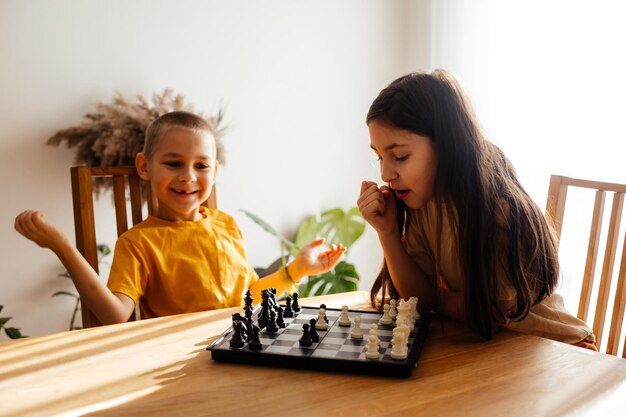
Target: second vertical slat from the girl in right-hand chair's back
607, 267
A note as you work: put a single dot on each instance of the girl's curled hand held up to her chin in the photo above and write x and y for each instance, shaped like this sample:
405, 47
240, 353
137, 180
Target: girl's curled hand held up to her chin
378, 208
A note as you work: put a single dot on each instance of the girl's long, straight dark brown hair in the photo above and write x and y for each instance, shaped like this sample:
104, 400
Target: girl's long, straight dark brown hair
482, 198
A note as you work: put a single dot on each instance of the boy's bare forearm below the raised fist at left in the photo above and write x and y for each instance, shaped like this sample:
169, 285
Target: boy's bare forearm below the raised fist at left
100, 300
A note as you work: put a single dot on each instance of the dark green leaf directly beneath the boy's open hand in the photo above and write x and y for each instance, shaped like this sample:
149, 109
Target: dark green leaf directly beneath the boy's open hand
343, 278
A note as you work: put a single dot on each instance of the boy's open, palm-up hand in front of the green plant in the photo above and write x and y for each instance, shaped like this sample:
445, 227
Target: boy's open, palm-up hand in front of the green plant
310, 261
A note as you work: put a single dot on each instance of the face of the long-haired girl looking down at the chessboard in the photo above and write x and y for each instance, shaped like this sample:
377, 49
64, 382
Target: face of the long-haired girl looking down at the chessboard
407, 162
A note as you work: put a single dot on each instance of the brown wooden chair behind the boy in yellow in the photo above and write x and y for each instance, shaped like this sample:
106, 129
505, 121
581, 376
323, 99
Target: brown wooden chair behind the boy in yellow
84, 222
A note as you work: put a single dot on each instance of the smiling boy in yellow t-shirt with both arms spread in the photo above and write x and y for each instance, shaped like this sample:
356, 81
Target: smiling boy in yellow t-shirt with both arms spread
186, 257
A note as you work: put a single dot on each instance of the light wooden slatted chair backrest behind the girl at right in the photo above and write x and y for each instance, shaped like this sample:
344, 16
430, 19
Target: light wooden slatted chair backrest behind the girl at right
555, 210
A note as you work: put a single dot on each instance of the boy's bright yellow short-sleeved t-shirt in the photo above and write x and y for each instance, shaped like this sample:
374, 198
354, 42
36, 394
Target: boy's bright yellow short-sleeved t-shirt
182, 267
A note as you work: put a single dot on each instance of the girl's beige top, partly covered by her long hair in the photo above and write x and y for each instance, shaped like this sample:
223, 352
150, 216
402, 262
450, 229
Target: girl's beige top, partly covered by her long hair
547, 319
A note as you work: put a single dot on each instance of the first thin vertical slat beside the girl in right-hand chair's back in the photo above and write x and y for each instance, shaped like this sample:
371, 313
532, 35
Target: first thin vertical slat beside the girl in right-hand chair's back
592, 255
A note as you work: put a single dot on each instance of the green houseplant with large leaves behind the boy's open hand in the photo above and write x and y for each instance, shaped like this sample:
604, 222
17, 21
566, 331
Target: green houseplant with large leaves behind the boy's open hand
336, 226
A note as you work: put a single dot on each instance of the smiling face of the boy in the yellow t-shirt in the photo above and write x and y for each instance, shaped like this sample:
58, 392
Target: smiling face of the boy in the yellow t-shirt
181, 171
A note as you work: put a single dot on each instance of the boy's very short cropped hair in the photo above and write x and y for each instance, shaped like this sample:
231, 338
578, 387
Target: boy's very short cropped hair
178, 119
